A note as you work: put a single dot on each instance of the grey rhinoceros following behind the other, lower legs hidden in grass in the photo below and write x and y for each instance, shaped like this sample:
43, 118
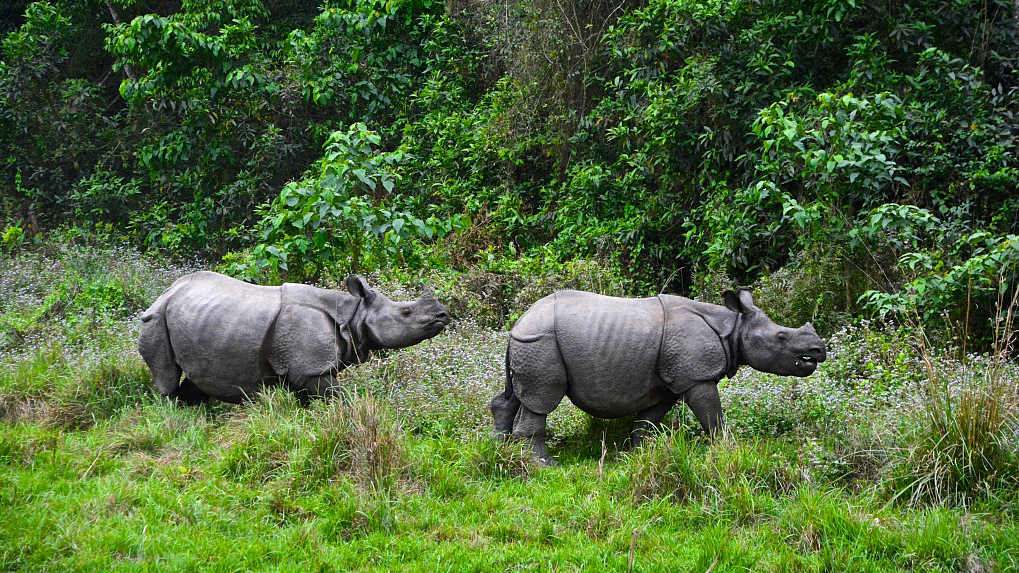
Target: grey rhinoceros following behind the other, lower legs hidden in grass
232, 338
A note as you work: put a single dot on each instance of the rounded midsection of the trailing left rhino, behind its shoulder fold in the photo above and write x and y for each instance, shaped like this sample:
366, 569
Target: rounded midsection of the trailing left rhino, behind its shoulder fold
218, 328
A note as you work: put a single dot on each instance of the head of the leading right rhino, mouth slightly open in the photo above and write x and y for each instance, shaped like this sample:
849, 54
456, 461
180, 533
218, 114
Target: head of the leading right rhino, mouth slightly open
768, 347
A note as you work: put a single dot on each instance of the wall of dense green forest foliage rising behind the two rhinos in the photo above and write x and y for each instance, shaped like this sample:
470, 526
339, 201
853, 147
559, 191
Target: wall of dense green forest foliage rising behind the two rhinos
689, 144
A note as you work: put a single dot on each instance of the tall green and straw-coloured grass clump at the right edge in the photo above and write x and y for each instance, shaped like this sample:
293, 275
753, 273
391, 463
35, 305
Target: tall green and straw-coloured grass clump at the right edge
959, 444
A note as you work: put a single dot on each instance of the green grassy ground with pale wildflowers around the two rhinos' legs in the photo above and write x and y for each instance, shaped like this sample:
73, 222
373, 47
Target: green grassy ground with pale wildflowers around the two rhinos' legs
97, 474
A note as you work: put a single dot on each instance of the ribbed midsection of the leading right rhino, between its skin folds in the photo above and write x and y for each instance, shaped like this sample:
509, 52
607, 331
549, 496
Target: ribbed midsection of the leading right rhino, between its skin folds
611, 349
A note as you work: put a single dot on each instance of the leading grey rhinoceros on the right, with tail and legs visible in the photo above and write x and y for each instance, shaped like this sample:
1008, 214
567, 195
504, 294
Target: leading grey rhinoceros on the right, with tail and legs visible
637, 357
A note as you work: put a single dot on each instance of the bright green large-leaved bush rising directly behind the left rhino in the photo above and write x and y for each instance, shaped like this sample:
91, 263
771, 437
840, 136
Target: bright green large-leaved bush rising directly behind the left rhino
346, 215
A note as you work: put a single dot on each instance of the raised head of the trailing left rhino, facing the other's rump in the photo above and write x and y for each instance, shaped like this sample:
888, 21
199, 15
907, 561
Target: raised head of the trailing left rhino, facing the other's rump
398, 325
